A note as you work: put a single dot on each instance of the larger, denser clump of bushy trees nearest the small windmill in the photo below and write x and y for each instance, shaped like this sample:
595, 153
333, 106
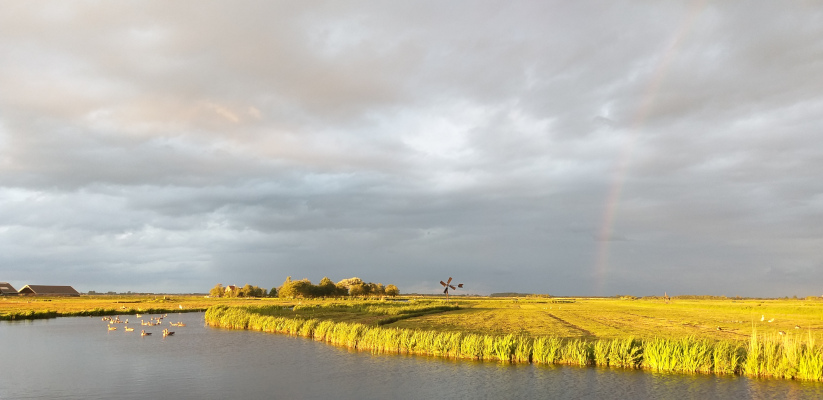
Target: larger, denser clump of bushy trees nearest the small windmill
326, 288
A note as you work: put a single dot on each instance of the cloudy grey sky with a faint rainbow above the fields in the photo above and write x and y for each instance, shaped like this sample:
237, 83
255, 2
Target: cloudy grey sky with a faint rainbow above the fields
586, 148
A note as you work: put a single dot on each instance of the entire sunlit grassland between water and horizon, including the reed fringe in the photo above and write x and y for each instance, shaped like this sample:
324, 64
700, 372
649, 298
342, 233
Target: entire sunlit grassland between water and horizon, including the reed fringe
752, 337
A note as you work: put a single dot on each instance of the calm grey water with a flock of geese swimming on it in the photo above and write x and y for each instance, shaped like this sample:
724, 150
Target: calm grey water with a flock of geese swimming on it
78, 358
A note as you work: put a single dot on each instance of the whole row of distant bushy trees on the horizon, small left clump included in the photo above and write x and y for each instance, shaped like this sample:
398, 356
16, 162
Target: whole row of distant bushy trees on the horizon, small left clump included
303, 288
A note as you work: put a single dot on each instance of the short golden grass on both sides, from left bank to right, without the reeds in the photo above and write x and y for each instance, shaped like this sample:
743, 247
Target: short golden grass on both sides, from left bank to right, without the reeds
585, 318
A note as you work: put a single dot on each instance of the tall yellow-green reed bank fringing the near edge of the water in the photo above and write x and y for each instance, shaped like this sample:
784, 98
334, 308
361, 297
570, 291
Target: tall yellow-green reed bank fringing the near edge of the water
790, 356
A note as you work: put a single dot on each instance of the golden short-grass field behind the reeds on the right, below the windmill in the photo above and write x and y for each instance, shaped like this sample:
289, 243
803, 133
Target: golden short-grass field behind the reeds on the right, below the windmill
615, 318
